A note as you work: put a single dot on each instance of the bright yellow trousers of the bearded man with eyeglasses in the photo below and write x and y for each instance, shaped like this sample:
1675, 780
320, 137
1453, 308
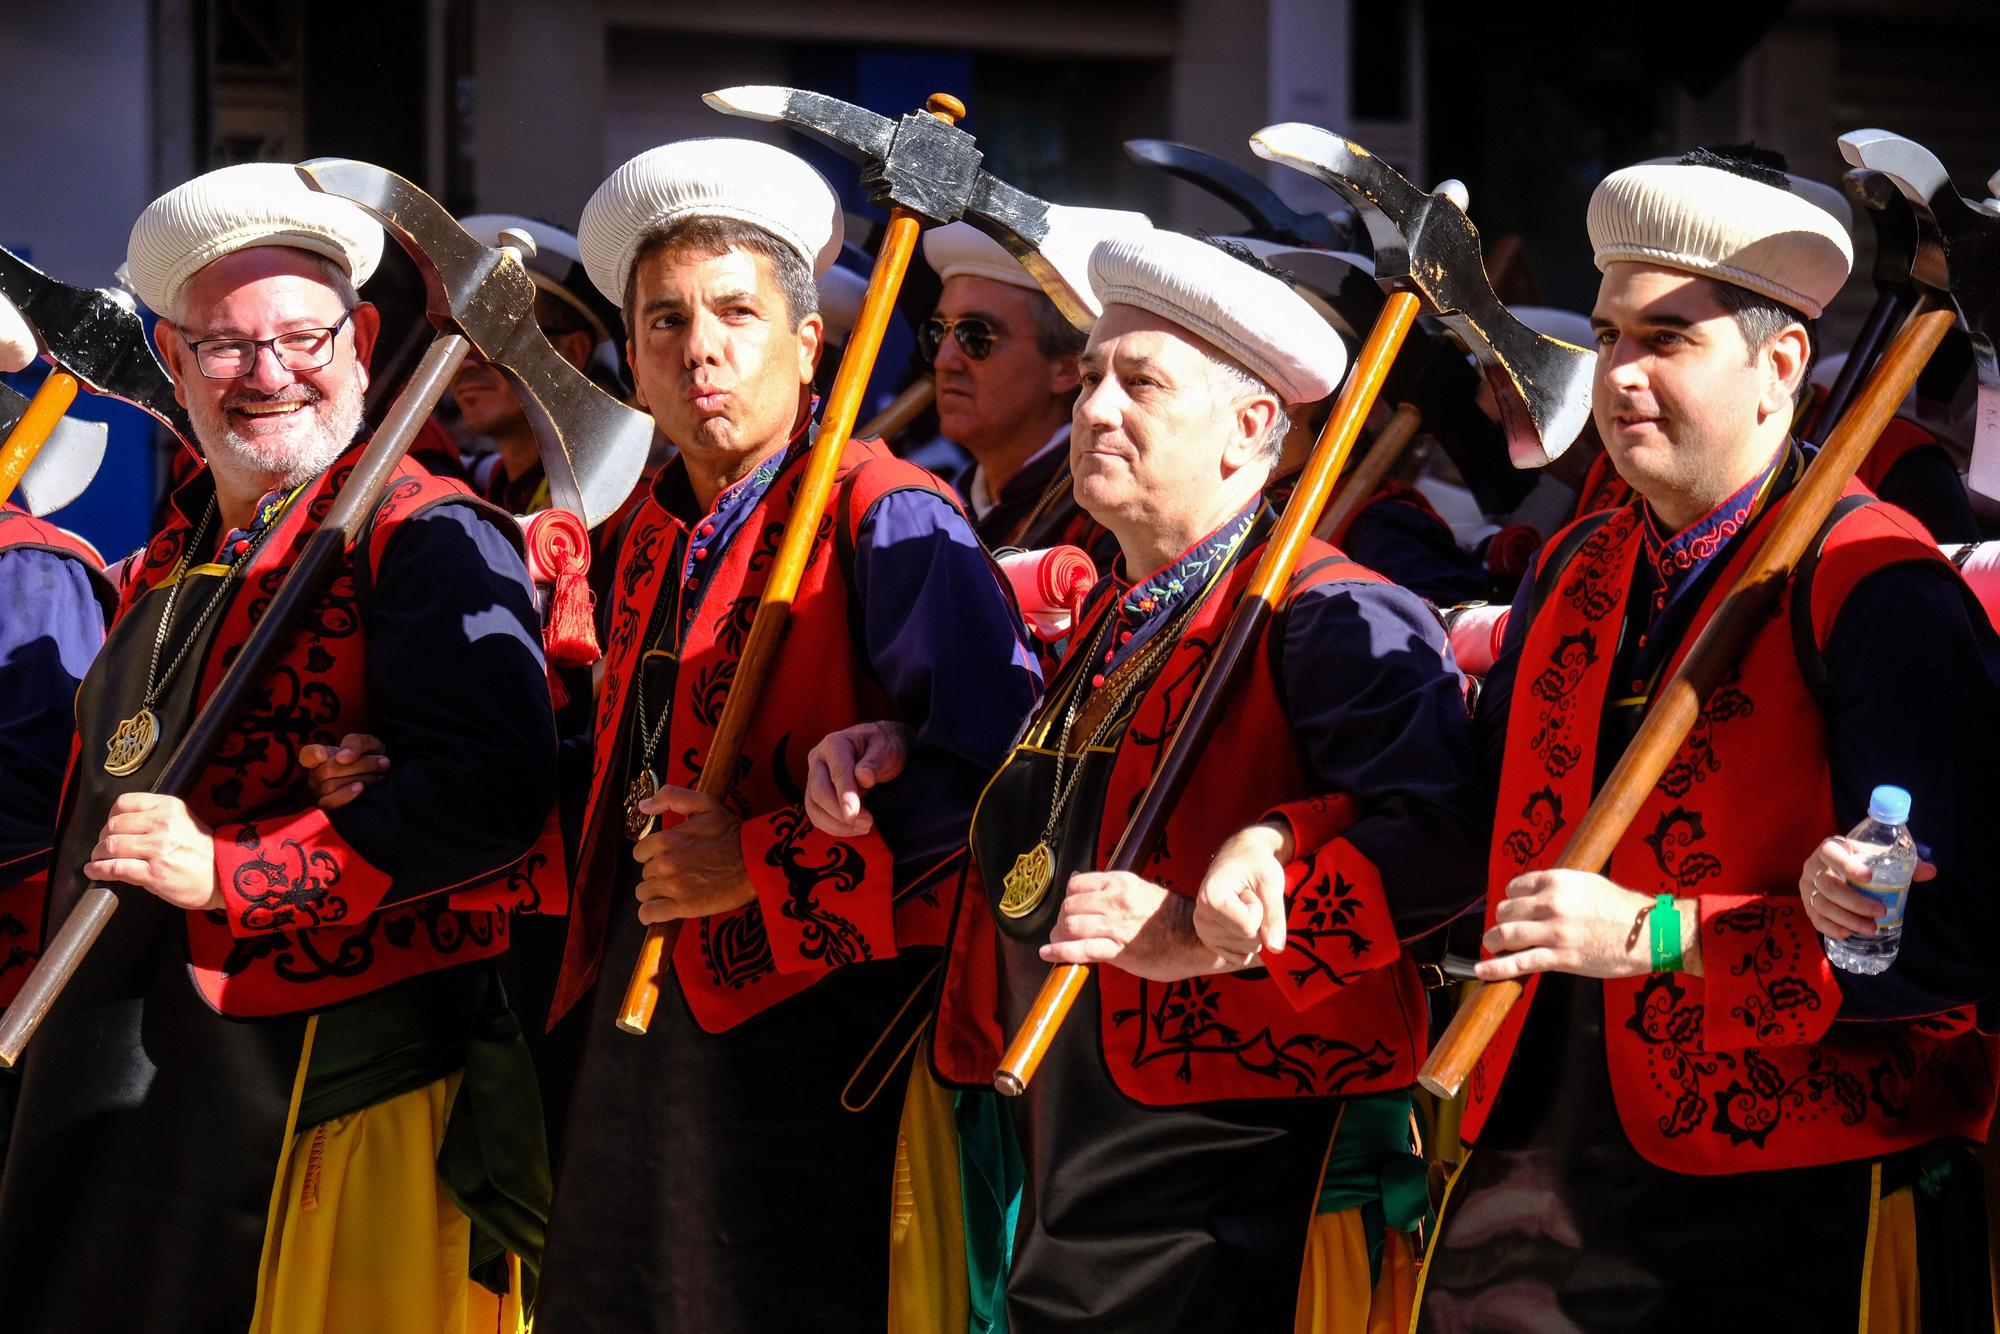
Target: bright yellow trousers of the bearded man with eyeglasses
365, 1237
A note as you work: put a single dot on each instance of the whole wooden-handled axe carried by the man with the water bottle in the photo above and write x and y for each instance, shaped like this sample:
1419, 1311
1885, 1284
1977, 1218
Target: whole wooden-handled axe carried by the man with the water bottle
1957, 271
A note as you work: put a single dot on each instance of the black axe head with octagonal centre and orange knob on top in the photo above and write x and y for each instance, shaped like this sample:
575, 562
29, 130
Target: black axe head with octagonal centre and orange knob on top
923, 165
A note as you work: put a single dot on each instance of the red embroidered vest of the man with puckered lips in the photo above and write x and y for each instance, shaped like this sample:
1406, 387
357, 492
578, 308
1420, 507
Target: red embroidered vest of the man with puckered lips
819, 685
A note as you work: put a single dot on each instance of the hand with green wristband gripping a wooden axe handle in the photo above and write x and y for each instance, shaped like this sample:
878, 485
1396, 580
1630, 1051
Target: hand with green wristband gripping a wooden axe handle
1571, 921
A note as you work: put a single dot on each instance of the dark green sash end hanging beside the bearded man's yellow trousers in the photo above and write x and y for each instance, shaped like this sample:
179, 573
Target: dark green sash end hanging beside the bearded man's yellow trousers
495, 1155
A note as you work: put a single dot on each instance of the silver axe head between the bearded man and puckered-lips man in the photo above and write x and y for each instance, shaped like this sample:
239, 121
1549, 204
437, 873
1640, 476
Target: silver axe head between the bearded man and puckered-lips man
593, 445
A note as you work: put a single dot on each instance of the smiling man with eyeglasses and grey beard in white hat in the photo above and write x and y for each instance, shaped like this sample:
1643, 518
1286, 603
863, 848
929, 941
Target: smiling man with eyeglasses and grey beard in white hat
275, 1089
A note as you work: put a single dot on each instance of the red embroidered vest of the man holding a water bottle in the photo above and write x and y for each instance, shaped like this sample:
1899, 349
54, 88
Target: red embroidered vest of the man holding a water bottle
1741, 1069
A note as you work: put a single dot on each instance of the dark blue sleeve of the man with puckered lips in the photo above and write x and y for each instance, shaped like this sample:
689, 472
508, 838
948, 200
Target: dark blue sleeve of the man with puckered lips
945, 647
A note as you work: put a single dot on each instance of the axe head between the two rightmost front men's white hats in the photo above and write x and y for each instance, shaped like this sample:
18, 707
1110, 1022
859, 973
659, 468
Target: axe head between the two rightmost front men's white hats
1425, 245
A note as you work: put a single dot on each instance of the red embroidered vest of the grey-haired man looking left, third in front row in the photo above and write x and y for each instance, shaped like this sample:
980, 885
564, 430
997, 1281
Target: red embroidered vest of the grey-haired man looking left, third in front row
1231, 1035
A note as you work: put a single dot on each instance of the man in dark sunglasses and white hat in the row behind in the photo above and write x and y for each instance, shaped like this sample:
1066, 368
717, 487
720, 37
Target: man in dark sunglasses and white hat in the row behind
1005, 363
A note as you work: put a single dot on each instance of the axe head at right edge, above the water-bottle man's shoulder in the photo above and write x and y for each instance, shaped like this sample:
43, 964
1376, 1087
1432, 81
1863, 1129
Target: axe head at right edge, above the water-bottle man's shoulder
1959, 263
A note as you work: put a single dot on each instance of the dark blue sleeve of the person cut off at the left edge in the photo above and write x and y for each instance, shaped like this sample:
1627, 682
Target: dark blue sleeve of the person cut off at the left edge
51, 629
